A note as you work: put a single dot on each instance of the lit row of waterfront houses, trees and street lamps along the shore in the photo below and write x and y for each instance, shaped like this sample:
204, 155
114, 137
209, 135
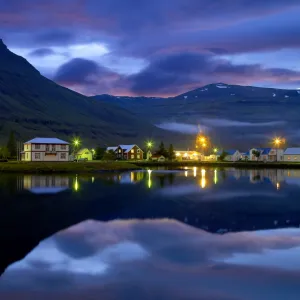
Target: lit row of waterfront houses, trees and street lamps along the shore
54, 149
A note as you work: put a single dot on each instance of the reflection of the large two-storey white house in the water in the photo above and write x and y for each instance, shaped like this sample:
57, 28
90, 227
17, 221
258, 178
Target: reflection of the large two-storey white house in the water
48, 184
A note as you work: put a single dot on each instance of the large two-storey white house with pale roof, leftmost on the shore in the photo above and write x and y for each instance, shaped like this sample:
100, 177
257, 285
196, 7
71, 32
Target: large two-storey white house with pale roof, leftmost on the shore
45, 149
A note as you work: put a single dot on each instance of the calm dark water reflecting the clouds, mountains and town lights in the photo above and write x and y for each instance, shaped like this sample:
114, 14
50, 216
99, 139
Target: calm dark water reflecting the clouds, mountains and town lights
191, 234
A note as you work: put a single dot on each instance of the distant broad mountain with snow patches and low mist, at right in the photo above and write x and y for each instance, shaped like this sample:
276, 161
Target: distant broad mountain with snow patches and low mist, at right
233, 115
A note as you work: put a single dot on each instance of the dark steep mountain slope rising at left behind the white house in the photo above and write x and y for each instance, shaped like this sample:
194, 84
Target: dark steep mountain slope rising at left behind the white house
33, 105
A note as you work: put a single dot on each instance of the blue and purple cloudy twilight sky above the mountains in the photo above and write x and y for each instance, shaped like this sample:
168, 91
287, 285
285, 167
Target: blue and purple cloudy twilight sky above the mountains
158, 47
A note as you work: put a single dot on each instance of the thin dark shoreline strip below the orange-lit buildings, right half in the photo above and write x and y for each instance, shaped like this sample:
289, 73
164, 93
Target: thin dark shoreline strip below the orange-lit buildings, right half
236, 165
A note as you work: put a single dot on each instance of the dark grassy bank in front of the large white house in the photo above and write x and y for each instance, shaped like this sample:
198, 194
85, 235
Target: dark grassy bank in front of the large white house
65, 167
